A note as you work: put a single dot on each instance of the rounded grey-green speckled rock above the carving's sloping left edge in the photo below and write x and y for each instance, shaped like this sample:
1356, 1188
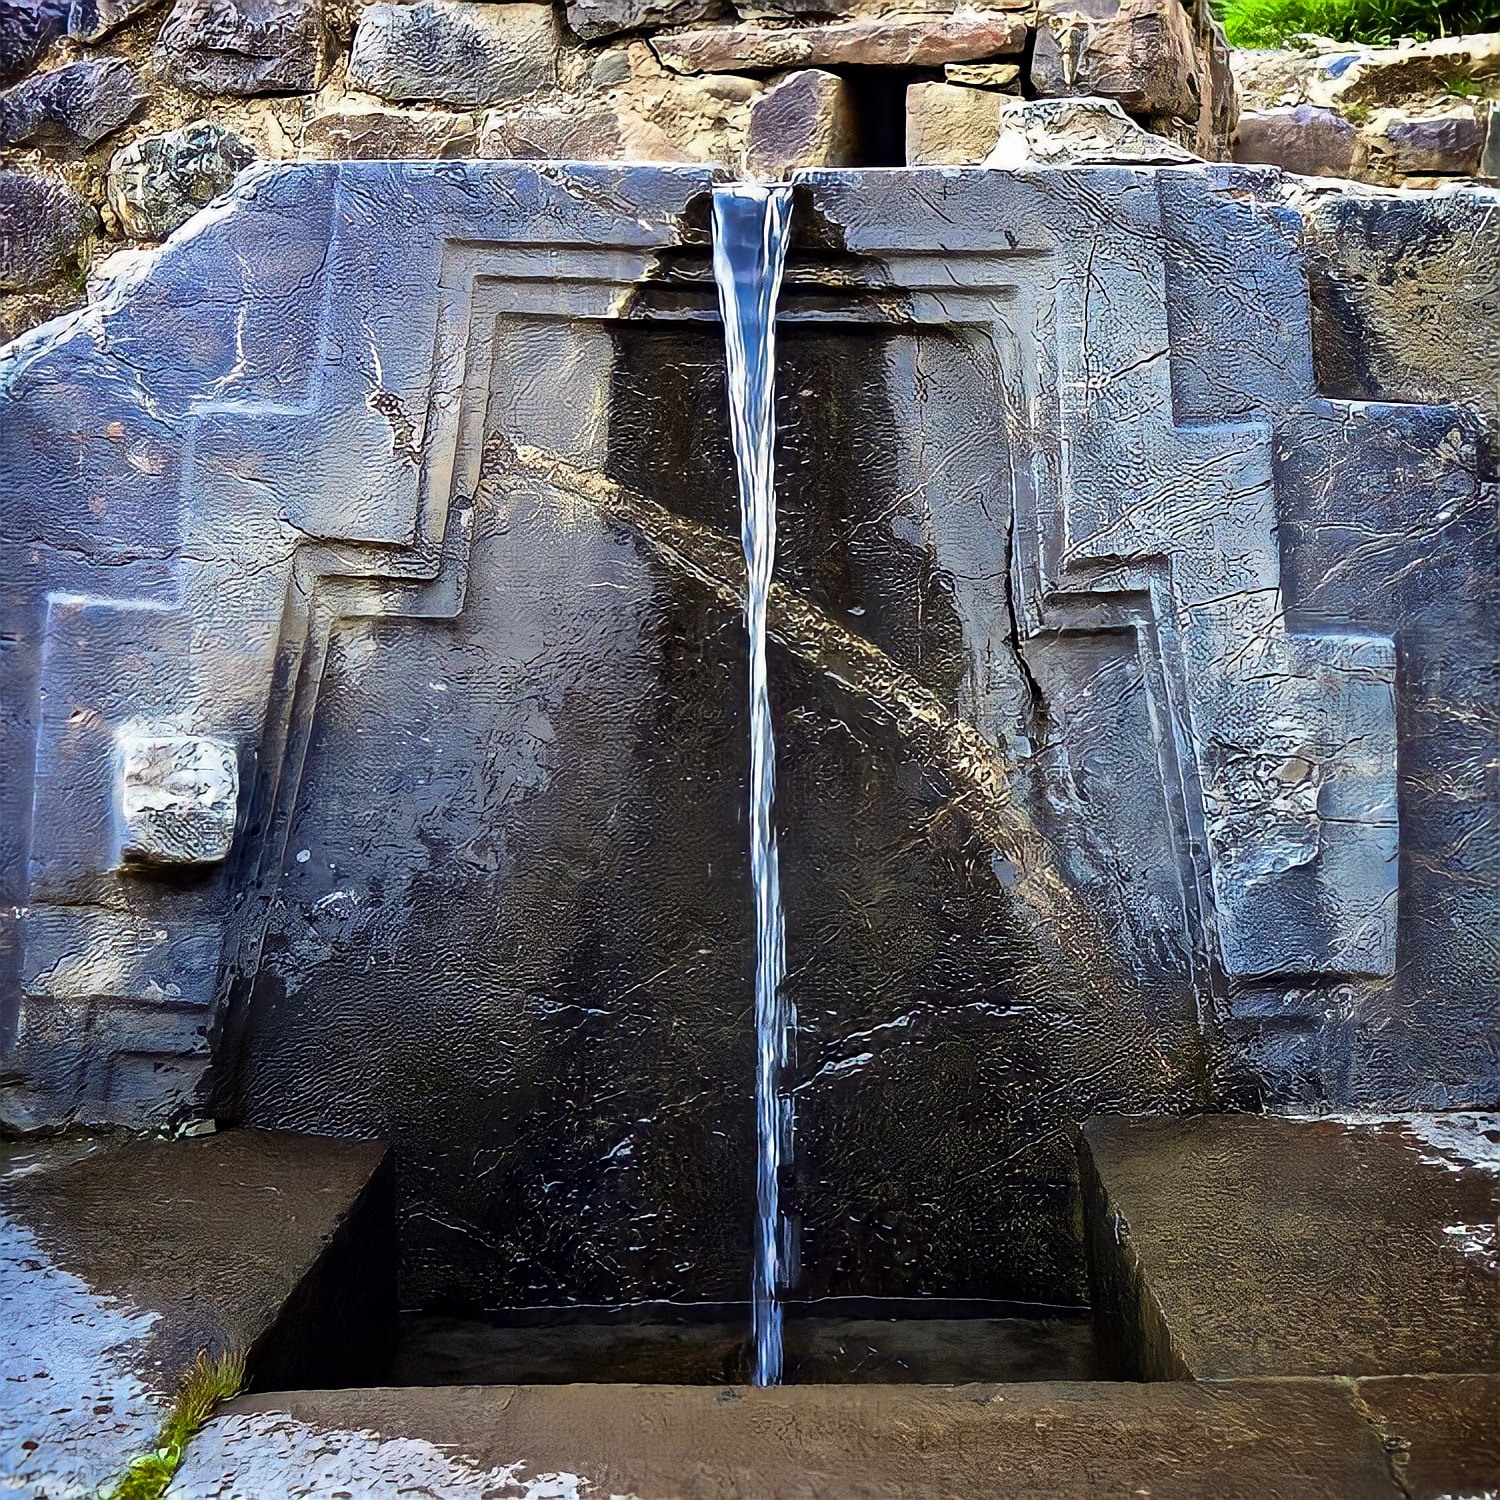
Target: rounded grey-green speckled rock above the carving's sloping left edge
163, 181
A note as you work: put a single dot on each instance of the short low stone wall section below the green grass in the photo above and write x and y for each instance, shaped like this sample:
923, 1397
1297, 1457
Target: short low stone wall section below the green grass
1409, 116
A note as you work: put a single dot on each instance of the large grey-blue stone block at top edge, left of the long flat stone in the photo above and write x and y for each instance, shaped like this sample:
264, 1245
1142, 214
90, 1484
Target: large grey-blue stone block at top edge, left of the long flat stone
454, 52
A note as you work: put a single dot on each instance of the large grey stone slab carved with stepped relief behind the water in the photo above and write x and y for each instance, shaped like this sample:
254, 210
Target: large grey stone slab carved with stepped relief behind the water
373, 563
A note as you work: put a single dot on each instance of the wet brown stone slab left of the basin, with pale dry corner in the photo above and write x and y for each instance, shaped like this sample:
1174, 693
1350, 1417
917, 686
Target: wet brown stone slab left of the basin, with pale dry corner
121, 1261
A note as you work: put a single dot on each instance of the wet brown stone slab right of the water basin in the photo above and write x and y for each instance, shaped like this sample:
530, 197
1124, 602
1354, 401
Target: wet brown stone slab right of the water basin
1252, 1246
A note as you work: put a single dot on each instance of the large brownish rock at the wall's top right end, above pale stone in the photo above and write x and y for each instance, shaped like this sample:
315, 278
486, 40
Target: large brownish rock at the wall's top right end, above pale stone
1141, 53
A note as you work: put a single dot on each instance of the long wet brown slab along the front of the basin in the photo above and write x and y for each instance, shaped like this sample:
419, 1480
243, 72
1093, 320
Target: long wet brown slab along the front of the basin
1024, 1442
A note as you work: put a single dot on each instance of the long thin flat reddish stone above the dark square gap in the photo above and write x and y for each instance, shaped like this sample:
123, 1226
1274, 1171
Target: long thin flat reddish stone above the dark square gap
899, 41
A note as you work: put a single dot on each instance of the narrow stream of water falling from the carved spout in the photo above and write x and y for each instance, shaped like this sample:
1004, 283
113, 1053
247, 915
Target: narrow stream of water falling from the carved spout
751, 232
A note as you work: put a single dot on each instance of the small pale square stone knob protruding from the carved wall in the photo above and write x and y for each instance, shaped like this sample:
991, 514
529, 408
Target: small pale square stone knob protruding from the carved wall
179, 799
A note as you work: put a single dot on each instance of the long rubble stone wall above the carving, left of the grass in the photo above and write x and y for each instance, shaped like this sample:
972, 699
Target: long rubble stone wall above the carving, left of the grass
122, 118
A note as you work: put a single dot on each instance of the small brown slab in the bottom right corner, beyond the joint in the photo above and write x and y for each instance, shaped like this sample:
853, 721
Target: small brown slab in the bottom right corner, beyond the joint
1442, 1432
